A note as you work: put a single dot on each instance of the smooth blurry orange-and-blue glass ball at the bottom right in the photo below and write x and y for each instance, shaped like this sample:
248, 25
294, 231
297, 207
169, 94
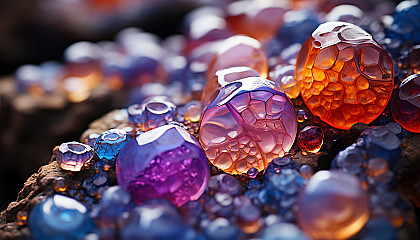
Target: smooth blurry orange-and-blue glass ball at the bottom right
332, 206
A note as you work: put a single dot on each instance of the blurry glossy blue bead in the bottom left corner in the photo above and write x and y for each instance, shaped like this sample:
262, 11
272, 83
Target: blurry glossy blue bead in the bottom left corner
58, 218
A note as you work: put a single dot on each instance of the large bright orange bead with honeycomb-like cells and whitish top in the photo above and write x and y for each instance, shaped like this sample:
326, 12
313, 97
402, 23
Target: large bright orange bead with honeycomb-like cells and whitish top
345, 76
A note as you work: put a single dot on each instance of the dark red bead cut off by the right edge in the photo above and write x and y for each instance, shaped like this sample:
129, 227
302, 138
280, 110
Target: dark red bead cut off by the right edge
405, 103
